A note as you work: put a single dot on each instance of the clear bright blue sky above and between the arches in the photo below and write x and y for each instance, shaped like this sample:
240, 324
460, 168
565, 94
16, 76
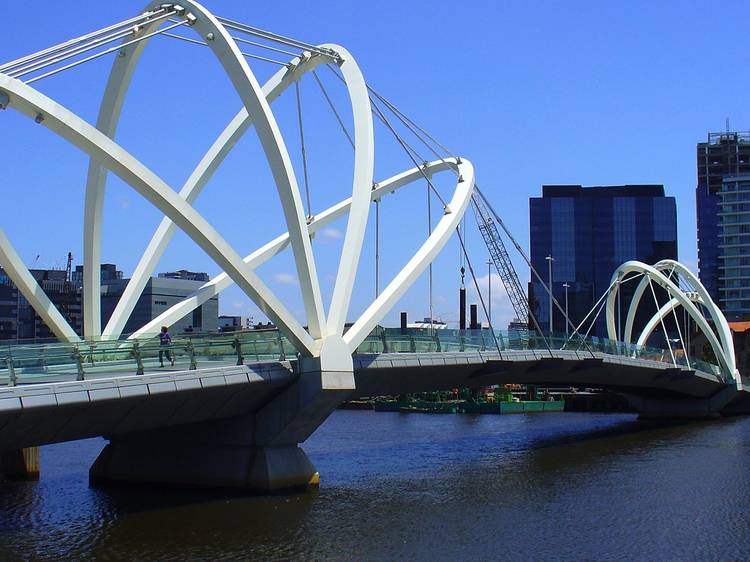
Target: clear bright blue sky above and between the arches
592, 93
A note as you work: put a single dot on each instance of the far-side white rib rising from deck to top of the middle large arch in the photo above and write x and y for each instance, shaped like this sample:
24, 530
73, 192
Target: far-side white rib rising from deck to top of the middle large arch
192, 188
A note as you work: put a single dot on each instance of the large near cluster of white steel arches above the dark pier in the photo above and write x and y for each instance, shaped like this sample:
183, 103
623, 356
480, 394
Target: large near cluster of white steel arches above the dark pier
324, 331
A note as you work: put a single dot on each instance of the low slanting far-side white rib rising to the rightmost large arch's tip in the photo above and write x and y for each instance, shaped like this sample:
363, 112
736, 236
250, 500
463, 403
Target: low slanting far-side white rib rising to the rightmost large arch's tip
275, 246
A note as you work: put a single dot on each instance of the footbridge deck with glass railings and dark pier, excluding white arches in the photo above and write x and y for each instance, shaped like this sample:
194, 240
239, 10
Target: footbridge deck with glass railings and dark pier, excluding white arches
234, 388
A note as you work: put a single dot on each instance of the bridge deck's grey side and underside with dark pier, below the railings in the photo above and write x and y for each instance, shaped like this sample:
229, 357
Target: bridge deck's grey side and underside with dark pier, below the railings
240, 426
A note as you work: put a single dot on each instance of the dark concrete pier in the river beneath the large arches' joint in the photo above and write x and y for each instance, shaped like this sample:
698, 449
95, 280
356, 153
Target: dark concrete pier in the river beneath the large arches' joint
257, 452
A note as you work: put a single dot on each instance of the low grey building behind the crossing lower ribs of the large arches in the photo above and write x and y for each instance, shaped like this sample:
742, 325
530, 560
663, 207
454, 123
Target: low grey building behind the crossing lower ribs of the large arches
160, 294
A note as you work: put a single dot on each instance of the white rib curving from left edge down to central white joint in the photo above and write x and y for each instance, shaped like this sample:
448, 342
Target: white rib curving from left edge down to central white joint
81, 134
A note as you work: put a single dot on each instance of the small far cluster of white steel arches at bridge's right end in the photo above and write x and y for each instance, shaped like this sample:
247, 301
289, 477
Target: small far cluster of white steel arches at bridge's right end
661, 273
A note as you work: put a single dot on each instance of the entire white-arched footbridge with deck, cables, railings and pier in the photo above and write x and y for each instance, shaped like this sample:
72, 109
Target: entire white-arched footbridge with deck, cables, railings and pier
233, 408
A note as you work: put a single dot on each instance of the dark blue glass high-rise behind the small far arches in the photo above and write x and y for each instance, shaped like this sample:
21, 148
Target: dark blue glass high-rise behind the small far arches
588, 232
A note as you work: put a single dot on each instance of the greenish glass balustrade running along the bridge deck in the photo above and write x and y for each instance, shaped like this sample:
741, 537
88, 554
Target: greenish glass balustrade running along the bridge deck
28, 362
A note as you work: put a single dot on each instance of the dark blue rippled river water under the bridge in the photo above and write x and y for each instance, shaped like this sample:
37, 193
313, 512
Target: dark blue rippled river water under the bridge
430, 487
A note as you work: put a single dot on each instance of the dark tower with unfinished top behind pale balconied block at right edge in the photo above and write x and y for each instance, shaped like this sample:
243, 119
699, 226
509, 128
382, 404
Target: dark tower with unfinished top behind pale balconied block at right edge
723, 154
